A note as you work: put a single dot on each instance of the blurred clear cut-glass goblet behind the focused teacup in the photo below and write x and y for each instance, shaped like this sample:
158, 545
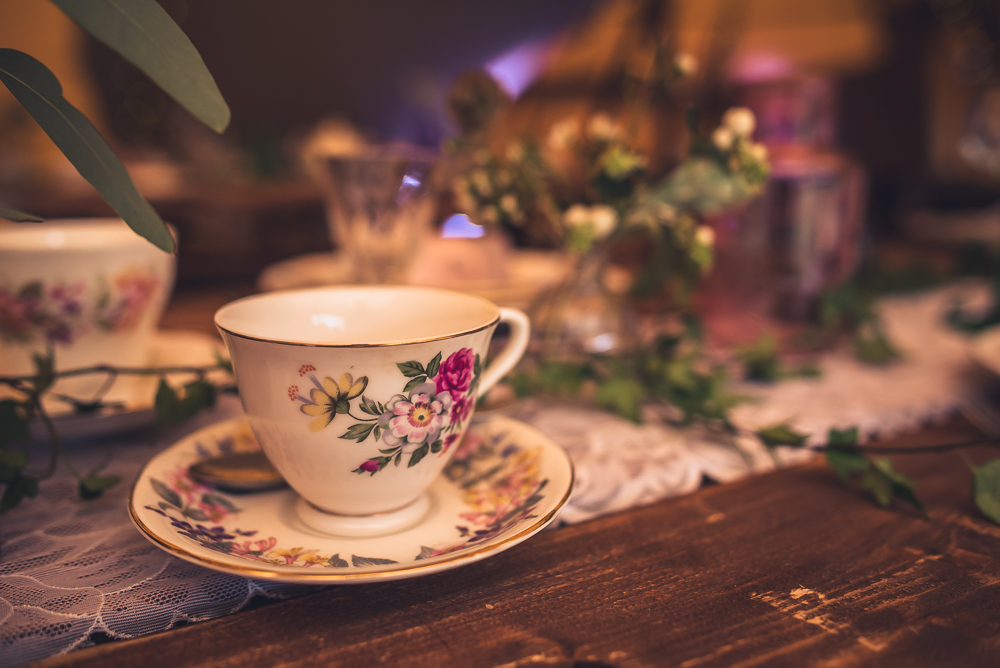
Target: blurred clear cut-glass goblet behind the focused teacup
379, 207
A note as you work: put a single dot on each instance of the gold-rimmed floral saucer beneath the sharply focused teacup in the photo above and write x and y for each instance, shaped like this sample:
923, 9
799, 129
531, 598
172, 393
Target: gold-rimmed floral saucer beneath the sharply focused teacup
505, 483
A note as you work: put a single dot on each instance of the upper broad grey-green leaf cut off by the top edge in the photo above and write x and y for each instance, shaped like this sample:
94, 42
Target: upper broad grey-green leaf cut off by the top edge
145, 35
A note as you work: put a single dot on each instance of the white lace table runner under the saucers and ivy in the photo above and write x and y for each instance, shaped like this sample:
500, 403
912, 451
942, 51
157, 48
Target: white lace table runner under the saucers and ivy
73, 573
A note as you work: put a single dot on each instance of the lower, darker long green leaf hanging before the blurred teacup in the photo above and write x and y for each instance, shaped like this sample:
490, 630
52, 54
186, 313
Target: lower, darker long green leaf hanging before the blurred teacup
40, 93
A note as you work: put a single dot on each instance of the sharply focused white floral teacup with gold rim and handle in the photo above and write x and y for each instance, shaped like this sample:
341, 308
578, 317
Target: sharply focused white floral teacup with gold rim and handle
360, 395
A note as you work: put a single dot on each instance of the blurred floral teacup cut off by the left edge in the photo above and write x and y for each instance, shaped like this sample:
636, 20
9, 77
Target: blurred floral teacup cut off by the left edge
91, 290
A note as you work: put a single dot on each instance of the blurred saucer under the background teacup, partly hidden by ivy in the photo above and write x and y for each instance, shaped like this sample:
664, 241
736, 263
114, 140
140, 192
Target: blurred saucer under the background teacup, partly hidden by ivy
131, 398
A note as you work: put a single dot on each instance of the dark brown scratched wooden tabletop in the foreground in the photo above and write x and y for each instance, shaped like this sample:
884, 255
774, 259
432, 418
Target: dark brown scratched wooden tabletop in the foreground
791, 568
